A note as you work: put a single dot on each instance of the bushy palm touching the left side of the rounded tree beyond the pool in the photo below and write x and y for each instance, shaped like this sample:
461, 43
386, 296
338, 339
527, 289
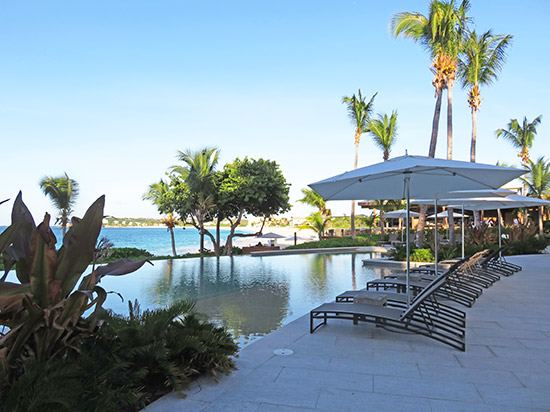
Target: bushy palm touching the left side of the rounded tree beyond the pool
197, 174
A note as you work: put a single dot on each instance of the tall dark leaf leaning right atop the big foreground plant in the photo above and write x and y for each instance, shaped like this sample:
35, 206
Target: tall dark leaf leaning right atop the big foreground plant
78, 246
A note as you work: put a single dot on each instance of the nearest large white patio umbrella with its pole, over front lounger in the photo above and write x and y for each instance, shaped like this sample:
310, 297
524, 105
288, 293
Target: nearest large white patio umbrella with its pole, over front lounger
419, 176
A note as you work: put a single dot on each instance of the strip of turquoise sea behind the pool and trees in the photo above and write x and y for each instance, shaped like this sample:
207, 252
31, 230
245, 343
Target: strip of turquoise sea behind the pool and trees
153, 239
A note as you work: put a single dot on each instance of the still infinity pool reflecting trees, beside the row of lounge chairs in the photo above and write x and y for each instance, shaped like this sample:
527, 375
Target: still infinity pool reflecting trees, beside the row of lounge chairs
250, 296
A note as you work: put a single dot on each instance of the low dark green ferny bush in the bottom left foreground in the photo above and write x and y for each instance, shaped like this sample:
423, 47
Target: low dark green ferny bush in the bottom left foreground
130, 361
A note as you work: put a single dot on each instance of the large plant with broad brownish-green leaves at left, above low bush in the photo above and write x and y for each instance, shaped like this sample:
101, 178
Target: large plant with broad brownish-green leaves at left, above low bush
43, 318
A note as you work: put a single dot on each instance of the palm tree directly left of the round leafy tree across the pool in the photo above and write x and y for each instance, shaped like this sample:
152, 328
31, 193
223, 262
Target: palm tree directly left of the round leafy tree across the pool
198, 173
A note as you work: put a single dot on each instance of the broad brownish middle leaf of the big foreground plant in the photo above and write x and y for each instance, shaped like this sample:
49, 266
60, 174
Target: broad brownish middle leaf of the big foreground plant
43, 258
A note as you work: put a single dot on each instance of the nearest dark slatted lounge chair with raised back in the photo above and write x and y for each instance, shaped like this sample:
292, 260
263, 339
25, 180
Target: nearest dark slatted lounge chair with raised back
424, 316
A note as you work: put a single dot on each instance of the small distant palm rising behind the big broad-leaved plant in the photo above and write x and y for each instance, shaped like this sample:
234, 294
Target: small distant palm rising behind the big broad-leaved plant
63, 192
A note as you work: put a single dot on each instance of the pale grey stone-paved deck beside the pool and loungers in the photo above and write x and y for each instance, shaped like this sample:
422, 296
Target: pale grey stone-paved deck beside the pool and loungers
342, 367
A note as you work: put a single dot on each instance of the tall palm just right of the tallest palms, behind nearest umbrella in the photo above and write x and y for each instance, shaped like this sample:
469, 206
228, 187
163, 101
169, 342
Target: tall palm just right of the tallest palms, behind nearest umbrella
482, 60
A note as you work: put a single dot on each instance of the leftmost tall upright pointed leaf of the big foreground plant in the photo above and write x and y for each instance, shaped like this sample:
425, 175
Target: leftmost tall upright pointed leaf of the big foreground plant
21, 215
